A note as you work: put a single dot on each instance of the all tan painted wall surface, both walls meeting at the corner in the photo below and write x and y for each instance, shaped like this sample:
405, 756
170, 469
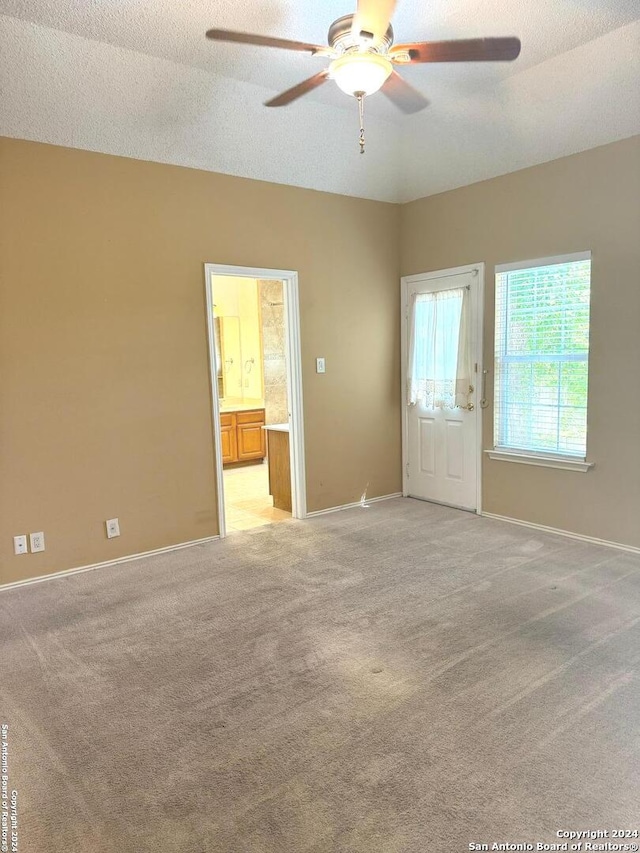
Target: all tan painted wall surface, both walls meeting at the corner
104, 392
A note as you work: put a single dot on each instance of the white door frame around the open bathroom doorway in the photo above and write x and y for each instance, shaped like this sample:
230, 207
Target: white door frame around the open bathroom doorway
289, 279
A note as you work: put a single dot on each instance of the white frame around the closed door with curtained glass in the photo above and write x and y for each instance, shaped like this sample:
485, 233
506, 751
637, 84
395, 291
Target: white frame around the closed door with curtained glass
474, 269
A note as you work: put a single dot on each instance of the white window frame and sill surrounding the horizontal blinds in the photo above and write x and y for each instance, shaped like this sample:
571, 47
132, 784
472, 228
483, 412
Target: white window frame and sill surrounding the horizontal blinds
550, 459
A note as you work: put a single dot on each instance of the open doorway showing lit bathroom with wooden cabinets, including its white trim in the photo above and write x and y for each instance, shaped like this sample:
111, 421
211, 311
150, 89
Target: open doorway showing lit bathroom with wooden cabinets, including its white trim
253, 325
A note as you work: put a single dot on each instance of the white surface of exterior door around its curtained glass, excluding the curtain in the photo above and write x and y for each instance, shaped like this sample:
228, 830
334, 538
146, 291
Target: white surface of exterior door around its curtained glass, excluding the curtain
441, 444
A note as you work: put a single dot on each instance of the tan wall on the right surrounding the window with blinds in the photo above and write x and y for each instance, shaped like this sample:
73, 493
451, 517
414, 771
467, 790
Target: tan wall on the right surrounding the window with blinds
586, 201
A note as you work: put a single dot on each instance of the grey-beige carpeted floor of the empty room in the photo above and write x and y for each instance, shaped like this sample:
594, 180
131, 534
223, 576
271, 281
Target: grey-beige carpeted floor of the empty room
405, 678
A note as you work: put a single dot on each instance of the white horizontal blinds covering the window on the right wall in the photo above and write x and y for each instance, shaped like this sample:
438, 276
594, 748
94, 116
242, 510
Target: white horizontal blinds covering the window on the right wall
542, 353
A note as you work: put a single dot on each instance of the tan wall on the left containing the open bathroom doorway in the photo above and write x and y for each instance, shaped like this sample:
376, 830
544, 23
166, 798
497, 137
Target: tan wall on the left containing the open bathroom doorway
104, 398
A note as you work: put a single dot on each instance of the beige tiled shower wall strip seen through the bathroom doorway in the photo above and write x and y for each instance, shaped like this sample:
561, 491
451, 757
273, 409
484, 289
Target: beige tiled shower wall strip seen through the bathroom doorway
273, 349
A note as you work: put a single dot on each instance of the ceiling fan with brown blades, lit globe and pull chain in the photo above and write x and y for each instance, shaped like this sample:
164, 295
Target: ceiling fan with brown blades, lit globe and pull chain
363, 55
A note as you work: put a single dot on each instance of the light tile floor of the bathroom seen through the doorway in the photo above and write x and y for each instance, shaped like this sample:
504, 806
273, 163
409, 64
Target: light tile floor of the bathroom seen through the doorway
247, 500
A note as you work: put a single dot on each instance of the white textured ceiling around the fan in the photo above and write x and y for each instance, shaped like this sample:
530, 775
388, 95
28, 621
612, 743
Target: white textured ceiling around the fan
138, 78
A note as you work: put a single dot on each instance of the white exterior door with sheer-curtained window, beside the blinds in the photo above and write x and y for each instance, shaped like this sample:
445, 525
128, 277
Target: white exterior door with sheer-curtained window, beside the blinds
441, 443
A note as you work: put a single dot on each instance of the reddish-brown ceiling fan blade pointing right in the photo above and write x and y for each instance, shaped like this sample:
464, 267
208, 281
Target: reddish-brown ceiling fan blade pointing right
463, 50
